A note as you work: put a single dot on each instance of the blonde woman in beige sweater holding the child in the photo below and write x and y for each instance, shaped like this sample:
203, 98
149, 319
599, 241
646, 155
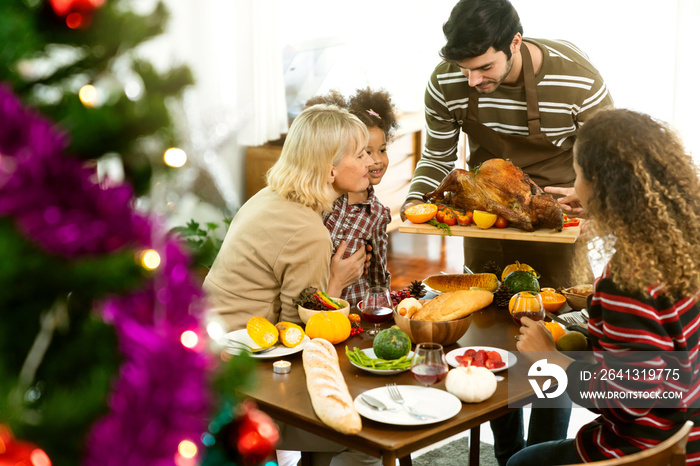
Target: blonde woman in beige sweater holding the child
277, 244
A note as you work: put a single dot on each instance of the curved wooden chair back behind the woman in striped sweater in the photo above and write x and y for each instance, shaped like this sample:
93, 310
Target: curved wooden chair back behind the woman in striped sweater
669, 452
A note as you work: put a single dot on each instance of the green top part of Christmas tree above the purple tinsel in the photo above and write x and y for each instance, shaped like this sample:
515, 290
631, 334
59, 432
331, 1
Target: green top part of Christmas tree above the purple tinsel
77, 61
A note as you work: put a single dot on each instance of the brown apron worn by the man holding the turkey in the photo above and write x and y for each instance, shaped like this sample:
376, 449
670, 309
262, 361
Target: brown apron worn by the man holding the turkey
545, 163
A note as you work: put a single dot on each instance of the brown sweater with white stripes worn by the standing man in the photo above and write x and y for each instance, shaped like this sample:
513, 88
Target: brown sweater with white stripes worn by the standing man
569, 90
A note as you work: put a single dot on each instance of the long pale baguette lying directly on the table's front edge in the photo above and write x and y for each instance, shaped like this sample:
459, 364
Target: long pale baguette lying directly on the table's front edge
329, 393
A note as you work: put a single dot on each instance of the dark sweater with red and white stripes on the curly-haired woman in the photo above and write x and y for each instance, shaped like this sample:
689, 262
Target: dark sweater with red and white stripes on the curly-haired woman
646, 334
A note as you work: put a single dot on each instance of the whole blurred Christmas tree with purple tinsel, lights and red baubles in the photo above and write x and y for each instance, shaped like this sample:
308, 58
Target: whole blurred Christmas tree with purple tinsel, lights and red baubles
103, 350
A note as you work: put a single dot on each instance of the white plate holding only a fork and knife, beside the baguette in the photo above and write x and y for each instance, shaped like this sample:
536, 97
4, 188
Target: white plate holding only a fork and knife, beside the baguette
425, 400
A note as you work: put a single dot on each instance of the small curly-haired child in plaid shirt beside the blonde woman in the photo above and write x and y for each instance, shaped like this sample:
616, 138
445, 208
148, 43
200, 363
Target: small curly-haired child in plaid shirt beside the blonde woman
358, 217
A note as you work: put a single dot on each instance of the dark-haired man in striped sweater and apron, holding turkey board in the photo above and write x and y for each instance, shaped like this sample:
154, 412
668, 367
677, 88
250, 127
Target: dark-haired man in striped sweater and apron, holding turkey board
517, 99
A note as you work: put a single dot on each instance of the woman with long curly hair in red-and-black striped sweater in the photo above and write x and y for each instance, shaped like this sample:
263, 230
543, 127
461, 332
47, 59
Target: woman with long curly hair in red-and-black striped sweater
640, 191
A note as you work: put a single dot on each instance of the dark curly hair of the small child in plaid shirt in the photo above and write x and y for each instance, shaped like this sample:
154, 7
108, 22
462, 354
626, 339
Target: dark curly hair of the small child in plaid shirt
373, 108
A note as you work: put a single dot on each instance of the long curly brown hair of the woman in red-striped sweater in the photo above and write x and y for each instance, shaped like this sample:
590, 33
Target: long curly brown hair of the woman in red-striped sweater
645, 201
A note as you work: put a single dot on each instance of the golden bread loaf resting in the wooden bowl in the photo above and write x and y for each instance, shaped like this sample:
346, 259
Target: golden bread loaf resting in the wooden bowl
454, 305
